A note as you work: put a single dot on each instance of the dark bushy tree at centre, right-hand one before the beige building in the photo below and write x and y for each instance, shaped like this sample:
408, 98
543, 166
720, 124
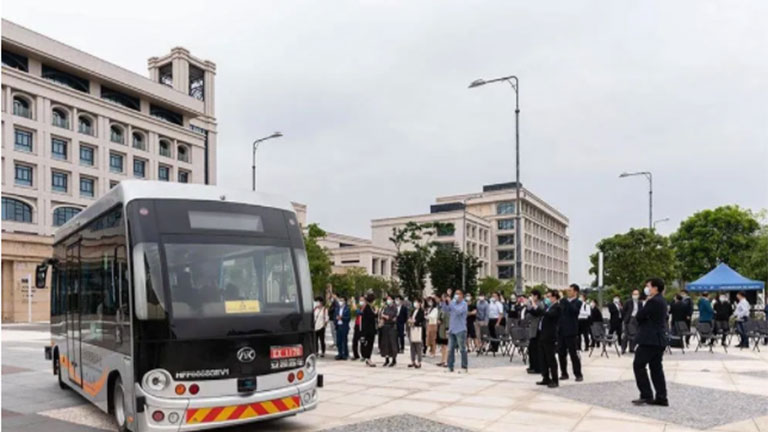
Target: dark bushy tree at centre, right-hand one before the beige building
445, 270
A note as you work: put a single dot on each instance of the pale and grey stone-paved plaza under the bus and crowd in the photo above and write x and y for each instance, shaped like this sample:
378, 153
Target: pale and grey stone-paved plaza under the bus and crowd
708, 391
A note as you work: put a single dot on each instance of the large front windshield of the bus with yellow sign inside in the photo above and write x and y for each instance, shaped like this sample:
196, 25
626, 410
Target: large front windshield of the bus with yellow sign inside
220, 280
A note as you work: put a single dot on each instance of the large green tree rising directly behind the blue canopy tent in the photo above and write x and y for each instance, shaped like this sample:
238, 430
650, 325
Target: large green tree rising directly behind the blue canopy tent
725, 234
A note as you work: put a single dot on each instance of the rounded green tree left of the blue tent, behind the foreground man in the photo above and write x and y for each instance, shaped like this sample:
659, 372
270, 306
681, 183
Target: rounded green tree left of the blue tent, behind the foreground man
631, 258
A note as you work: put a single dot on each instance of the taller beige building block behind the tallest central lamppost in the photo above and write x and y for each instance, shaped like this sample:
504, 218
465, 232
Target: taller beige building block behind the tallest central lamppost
544, 230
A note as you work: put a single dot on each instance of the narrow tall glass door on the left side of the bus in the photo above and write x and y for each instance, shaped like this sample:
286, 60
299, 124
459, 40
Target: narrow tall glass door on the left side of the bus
73, 313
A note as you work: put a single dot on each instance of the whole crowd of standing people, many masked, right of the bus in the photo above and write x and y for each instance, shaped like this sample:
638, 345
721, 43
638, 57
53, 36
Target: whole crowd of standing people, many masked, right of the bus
559, 325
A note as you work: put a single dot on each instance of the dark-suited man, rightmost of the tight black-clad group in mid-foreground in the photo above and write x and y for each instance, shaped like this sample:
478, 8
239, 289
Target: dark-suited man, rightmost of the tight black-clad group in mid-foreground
568, 340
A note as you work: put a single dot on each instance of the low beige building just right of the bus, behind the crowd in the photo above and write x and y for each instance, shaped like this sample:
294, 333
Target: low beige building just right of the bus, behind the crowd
353, 252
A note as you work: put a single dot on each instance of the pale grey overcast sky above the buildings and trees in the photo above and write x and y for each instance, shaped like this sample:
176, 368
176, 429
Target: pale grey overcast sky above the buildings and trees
372, 98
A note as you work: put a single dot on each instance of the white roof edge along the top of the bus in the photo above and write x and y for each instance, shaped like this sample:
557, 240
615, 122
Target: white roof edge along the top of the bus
129, 190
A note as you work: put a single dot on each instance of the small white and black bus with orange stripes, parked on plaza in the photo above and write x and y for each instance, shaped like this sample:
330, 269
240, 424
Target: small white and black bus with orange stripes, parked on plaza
179, 307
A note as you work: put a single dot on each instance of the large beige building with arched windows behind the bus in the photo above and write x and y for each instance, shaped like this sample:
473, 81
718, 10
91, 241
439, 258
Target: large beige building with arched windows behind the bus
73, 126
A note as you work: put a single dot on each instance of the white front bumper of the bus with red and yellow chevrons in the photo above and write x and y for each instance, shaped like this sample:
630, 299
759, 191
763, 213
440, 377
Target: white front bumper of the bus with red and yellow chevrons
215, 412
